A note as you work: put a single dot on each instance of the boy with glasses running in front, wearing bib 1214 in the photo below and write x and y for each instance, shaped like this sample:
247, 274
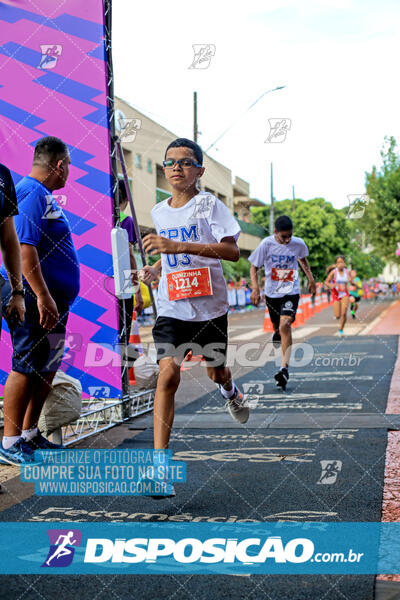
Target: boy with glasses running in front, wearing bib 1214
194, 232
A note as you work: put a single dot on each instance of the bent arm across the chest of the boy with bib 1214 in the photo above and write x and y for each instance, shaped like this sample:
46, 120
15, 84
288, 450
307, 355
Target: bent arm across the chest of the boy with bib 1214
226, 249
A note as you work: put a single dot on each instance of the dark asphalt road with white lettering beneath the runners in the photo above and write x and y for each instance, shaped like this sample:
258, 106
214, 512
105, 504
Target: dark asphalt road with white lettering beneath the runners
315, 453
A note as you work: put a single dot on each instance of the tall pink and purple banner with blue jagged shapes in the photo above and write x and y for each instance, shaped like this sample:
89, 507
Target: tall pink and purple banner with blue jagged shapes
53, 81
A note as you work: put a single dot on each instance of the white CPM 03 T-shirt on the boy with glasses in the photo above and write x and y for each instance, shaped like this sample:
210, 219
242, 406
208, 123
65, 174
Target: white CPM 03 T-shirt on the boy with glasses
205, 220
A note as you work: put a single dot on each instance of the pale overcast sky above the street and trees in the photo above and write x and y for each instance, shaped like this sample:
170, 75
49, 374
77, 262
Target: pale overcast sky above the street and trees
338, 59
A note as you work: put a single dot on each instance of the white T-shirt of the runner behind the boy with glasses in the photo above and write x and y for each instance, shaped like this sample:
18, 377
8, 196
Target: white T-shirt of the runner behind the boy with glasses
280, 264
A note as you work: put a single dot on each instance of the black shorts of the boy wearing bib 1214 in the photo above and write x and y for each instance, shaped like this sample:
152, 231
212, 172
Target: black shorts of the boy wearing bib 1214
173, 337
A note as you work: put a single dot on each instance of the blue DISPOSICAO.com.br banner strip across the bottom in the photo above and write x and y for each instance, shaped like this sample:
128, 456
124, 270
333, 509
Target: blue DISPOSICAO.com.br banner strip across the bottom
200, 548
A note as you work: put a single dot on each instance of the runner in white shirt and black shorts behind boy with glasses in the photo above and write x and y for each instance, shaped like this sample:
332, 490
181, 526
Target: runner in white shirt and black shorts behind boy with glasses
279, 255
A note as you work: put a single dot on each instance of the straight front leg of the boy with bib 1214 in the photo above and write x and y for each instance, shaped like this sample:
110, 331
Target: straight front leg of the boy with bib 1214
167, 384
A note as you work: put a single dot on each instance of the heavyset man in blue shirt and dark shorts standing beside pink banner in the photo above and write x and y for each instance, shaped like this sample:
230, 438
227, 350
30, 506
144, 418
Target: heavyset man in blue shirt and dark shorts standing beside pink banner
50, 270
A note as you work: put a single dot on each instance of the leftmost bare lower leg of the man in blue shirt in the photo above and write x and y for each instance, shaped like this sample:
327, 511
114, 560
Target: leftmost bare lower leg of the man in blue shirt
17, 393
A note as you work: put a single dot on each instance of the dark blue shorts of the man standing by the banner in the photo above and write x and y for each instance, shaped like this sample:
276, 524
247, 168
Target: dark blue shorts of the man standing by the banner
35, 350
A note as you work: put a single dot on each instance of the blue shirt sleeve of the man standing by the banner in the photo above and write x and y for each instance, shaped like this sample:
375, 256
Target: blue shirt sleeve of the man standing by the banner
29, 222
